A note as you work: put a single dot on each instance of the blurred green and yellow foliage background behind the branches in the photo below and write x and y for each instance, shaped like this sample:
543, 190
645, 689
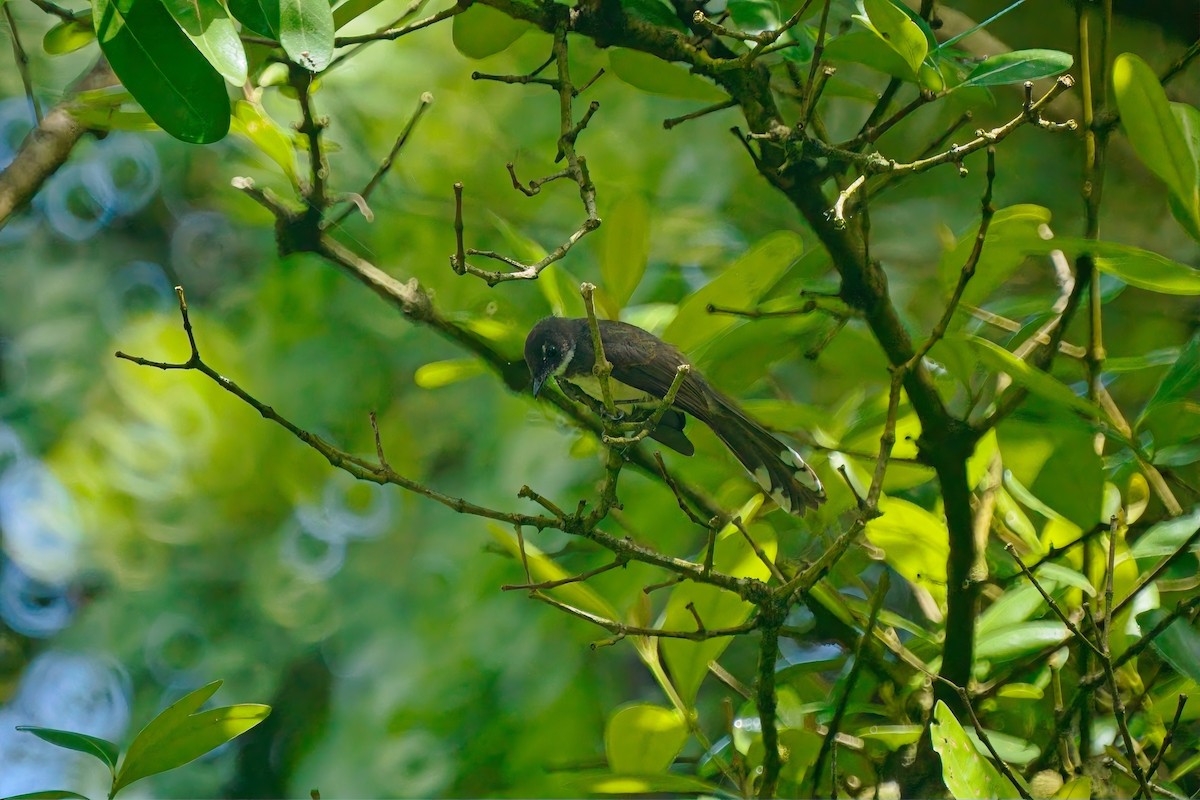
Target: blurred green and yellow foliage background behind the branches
159, 534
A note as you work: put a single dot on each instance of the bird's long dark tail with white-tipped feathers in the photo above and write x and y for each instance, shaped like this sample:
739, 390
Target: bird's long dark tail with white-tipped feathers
776, 467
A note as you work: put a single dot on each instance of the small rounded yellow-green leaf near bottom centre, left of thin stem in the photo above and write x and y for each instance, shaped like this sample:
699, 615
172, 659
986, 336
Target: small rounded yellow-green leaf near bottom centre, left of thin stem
644, 738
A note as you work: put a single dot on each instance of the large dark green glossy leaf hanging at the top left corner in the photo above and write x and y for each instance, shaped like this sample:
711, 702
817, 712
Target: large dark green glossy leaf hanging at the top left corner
164, 71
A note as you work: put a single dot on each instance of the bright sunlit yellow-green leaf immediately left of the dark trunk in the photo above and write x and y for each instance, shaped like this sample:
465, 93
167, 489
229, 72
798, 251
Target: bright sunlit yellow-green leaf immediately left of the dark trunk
915, 543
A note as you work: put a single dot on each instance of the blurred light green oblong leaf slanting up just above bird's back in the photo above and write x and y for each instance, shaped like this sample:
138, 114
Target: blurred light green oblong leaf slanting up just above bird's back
740, 287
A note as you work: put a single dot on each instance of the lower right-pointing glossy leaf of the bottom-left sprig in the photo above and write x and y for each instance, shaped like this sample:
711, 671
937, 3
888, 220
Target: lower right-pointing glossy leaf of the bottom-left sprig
189, 738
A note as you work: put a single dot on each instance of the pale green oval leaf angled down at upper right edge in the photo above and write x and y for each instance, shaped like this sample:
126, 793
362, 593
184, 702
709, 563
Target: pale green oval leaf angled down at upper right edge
1153, 129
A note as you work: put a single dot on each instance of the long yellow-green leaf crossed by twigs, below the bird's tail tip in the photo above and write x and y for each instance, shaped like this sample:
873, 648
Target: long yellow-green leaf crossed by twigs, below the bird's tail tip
688, 661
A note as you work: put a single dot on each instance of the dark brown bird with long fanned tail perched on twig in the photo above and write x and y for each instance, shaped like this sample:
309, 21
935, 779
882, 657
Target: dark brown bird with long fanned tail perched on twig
644, 368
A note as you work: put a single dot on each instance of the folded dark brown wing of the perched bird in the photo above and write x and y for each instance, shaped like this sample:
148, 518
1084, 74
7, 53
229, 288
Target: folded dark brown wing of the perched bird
647, 363
